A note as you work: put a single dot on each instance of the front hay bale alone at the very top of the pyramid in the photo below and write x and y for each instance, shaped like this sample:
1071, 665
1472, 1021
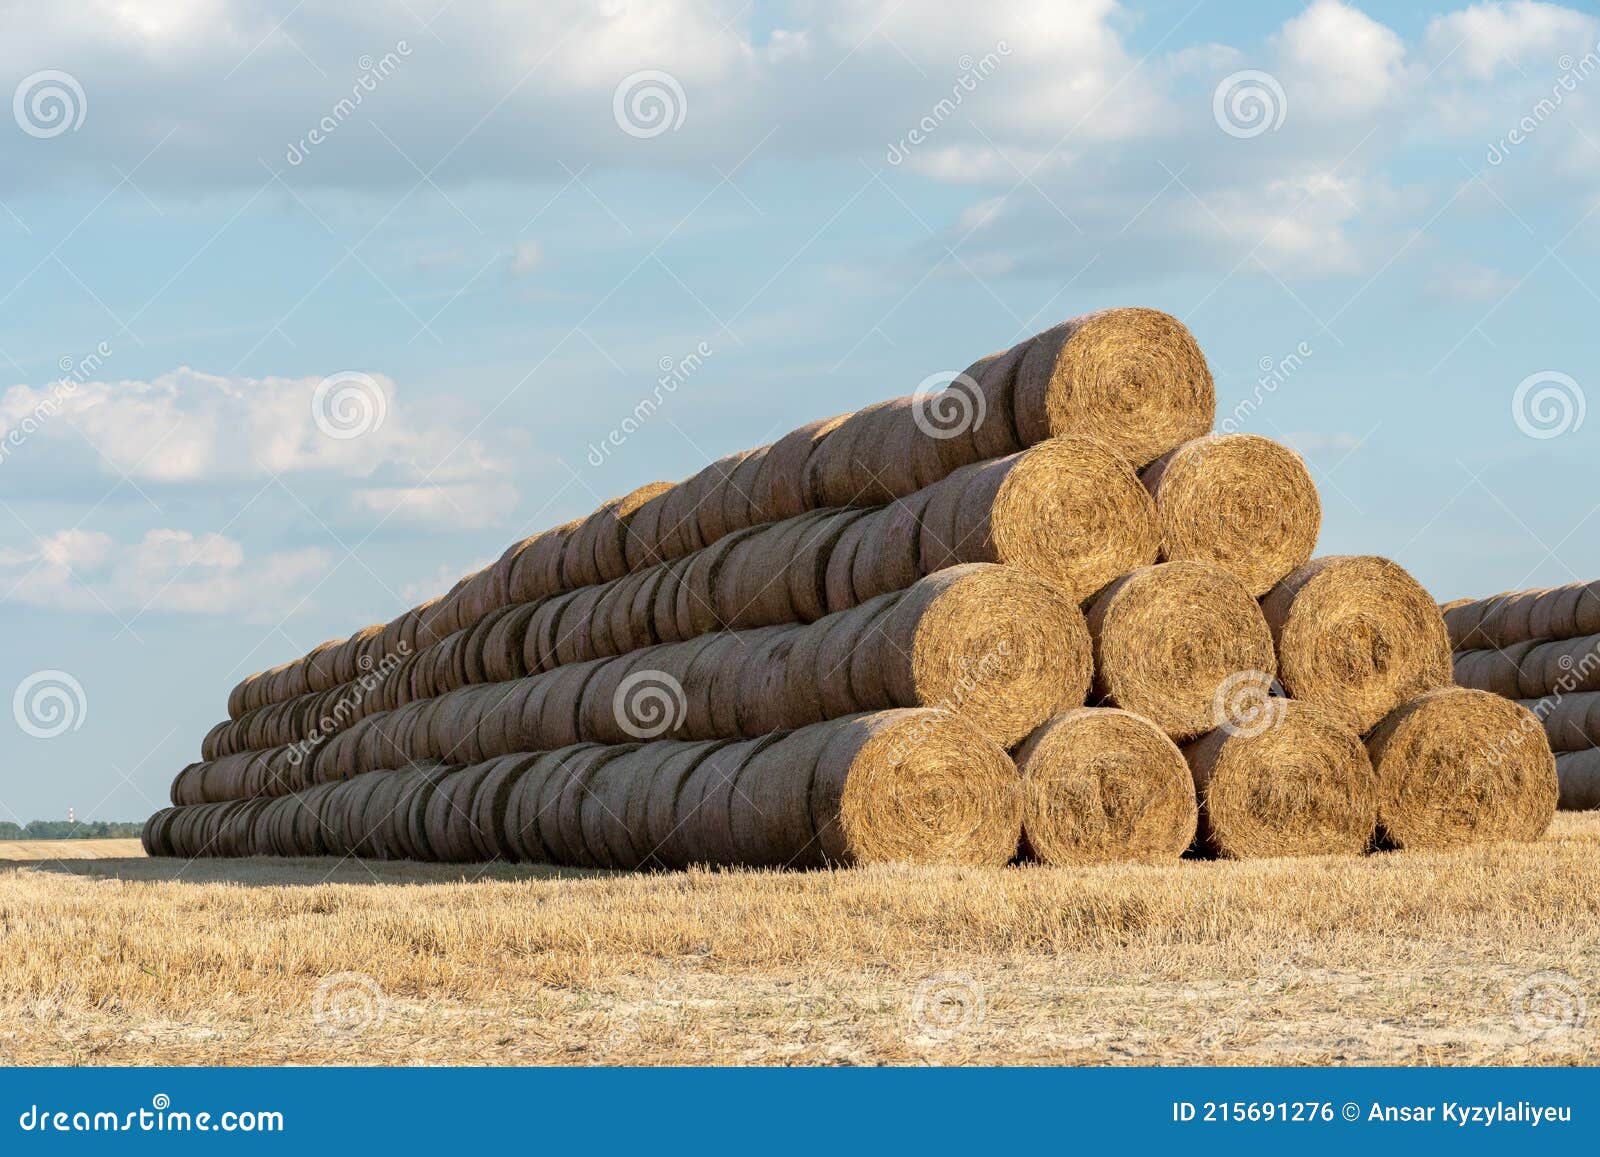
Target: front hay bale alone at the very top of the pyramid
1134, 380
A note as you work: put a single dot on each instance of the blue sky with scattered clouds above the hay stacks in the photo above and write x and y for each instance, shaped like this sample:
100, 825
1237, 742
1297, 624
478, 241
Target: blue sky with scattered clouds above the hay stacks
502, 249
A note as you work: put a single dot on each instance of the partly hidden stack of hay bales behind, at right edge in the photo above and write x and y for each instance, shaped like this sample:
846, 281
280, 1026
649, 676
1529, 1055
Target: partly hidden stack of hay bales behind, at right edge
1543, 651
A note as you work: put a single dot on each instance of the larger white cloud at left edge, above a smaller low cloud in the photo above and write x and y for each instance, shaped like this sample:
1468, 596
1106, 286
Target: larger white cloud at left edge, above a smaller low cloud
191, 428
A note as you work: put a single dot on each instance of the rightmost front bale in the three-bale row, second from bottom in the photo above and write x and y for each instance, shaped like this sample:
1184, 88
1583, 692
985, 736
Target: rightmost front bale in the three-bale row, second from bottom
1358, 635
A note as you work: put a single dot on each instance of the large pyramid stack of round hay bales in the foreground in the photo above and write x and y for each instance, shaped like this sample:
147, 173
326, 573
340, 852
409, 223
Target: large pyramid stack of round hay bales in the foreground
878, 639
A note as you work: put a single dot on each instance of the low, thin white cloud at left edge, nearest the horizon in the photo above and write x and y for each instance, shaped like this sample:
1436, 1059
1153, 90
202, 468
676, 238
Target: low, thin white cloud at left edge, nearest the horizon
167, 570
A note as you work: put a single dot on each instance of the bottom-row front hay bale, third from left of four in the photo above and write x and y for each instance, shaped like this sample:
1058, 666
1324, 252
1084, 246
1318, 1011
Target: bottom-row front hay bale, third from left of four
1290, 782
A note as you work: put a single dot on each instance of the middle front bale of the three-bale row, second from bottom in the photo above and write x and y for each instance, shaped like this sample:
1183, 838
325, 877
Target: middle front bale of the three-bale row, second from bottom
1172, 638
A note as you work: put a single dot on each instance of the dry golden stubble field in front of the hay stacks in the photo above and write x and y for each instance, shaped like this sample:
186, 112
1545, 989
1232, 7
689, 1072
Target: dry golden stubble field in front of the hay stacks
1482, 956
